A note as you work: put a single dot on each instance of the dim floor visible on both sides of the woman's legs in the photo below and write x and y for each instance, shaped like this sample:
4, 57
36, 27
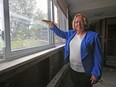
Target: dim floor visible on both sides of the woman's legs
108, 79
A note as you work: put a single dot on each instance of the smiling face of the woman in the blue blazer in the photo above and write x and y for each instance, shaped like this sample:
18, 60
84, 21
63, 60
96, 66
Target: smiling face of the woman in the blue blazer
79, 23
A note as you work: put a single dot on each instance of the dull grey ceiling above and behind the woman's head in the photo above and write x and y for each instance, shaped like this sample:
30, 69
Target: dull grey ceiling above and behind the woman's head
93, 9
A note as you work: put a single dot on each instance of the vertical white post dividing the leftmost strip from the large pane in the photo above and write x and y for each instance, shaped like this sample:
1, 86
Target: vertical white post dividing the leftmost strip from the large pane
7, 48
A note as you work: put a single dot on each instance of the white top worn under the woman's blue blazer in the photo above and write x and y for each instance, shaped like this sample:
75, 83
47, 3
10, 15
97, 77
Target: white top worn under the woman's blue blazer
75, 55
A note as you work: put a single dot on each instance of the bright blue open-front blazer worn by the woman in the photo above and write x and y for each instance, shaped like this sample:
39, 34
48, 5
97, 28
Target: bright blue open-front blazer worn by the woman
91, 51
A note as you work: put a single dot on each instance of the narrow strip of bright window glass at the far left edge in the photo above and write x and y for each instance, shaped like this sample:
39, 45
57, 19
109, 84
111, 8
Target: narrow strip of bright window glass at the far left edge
1, 26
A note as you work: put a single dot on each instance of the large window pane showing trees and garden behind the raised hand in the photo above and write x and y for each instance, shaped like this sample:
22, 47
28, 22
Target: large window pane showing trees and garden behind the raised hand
26, 28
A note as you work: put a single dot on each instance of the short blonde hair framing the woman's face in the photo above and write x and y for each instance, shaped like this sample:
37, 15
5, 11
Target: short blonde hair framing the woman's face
86, 24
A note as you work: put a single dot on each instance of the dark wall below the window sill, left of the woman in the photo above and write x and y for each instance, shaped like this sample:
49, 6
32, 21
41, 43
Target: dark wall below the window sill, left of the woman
34, 75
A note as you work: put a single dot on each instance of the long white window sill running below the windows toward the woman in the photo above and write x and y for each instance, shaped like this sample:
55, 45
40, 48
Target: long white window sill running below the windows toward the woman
32, 59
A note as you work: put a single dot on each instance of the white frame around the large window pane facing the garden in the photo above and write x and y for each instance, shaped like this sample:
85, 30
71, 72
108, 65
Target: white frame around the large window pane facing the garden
7, 53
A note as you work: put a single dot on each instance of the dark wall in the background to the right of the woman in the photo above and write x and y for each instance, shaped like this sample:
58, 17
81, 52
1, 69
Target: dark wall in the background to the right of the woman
107, 29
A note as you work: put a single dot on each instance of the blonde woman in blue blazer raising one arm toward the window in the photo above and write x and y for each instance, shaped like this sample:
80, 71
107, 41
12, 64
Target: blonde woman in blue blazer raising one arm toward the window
84, 50
